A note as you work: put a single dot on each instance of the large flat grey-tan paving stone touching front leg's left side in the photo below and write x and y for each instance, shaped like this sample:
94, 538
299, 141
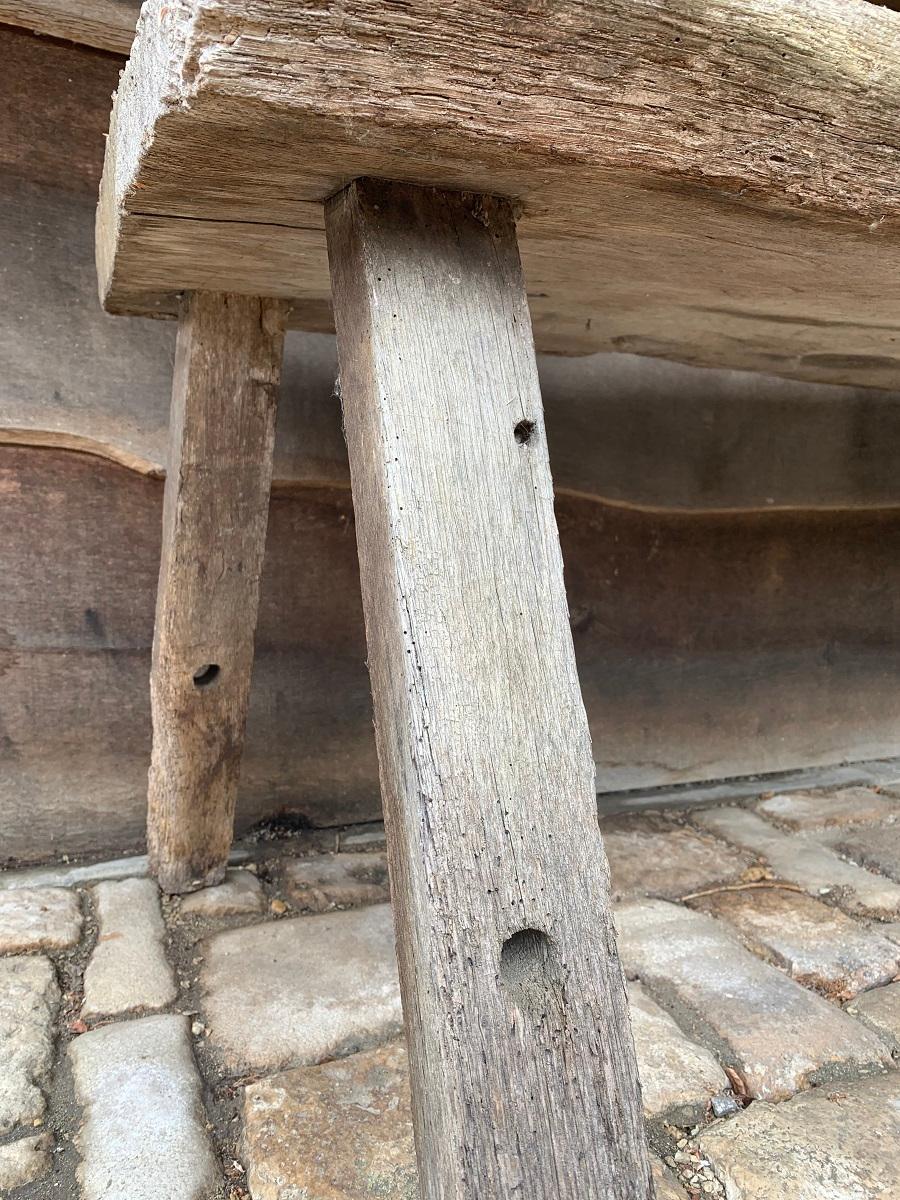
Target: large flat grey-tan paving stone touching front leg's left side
297, 992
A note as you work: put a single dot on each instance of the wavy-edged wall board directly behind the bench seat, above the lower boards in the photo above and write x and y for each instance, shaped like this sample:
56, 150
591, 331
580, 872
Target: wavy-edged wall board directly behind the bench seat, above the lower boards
628, 430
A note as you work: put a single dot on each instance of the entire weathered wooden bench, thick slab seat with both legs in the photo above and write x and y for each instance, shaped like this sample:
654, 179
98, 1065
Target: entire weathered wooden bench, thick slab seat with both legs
368, 166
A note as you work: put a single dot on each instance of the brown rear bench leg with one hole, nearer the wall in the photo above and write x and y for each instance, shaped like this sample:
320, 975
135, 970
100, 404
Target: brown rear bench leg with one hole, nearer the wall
215, 512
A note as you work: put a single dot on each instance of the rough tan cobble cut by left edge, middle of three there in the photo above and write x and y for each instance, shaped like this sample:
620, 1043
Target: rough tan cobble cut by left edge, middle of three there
29, 999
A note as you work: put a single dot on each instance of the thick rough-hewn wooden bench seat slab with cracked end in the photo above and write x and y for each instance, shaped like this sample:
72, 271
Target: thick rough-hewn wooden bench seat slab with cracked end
711, 184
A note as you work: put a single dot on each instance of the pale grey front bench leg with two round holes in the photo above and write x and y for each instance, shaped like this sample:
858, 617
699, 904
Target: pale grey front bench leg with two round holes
524, 1070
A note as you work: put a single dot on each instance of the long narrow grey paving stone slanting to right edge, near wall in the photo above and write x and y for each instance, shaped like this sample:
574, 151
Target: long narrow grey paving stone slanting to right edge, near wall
802, 861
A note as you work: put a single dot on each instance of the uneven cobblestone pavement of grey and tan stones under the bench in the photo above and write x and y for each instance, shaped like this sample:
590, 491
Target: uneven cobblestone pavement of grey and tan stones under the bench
248, 1041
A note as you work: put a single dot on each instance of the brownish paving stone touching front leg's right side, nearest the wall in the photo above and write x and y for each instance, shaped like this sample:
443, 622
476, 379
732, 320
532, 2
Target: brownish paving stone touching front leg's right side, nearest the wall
651, 855
